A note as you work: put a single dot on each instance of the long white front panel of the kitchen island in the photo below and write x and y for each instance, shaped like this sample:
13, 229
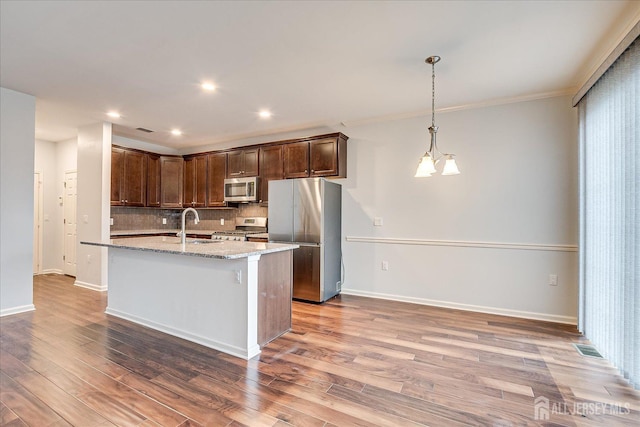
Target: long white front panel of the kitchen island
194, 298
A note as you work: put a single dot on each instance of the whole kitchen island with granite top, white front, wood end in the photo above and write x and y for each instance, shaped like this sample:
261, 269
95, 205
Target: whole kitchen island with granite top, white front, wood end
231, 296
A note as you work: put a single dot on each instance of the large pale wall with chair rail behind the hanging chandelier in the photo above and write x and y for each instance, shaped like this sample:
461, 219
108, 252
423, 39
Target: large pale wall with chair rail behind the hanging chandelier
518, 186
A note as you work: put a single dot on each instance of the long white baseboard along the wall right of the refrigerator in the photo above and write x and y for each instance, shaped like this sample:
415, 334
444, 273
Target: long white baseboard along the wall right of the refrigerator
569, 320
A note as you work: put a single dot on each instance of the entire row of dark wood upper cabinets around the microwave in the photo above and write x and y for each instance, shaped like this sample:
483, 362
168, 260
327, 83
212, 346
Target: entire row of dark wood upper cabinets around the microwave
139, 178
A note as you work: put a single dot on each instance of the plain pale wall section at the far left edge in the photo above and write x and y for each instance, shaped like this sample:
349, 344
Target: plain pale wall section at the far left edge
17, 141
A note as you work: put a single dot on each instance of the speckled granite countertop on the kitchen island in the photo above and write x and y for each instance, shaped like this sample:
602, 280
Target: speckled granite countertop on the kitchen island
206, 248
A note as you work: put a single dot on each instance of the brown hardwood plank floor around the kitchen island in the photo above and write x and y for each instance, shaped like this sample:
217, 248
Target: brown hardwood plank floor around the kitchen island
350, 362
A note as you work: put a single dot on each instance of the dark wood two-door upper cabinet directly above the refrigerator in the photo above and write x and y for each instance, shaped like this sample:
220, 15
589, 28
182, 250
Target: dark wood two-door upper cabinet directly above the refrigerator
324, 156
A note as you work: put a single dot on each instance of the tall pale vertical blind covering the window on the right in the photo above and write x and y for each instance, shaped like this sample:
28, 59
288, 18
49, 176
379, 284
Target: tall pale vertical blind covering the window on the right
609, 120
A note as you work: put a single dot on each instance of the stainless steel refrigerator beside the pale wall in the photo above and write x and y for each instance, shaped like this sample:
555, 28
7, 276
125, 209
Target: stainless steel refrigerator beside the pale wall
308, 212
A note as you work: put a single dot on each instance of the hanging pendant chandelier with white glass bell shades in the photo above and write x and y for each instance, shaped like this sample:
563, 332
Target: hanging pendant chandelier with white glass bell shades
432, 157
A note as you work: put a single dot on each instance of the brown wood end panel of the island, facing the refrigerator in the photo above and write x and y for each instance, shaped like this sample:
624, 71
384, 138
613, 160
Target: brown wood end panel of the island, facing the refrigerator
275, 282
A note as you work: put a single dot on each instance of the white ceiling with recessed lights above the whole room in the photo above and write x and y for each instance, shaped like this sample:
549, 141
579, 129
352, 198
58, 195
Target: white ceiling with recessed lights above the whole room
313, 64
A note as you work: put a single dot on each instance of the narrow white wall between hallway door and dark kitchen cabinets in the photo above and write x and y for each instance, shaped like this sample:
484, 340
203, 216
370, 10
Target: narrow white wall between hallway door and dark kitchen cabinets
94, 179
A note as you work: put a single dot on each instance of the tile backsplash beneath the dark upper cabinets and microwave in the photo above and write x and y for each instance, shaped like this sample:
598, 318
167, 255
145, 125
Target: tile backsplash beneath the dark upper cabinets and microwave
130, 218
